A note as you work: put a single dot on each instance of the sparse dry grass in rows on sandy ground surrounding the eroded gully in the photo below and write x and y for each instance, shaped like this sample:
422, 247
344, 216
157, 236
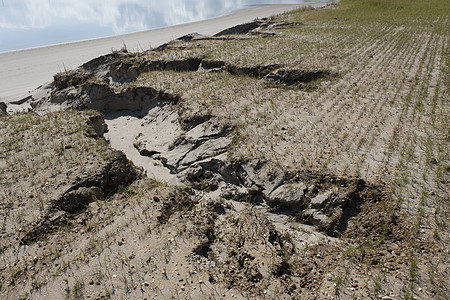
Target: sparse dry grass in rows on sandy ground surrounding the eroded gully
382, 117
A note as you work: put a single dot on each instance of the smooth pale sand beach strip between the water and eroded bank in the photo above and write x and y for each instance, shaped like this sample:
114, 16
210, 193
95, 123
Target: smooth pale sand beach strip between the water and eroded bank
25, 70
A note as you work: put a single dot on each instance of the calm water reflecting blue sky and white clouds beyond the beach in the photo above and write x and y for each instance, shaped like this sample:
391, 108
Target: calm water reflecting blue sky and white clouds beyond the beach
34, 23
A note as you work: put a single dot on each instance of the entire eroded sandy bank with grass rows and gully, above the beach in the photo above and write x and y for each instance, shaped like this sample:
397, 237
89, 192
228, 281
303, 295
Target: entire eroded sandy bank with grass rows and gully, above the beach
301, 156
